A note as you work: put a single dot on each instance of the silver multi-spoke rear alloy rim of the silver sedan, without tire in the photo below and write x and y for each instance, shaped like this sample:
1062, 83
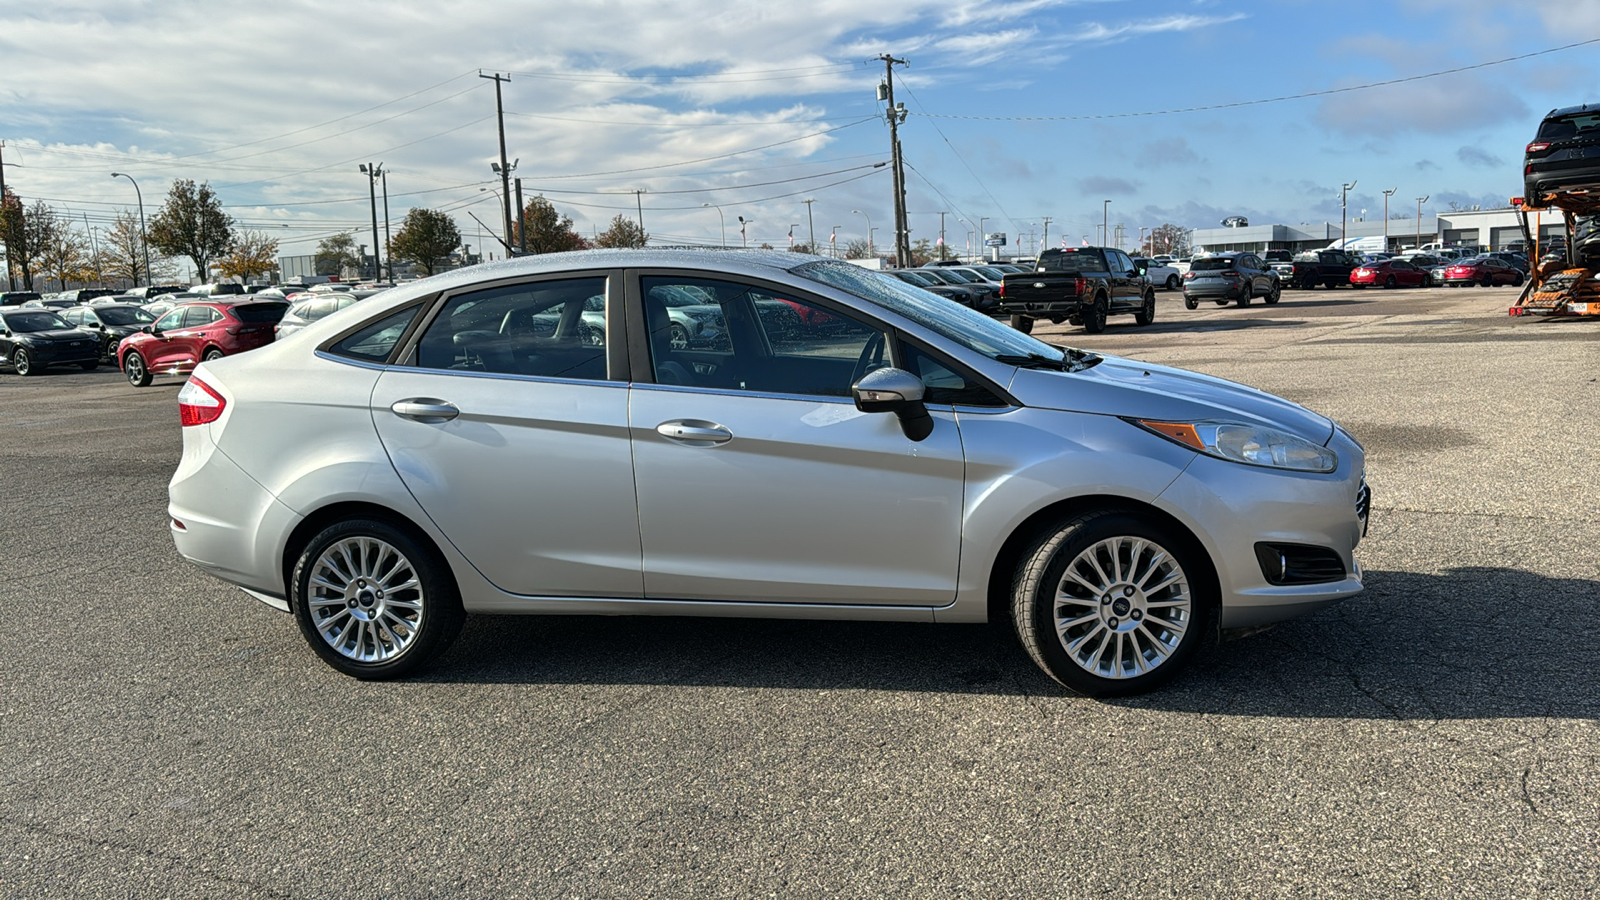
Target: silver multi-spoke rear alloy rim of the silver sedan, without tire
366, 600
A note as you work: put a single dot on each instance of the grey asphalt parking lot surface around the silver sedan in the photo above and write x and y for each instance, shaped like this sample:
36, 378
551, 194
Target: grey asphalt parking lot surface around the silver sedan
164, 736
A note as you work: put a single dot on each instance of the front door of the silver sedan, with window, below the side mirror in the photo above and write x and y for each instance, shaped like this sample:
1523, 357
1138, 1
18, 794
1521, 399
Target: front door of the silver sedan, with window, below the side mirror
761, 481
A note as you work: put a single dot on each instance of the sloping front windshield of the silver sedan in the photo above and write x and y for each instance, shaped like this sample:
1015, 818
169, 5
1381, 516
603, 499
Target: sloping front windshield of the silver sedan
948, 319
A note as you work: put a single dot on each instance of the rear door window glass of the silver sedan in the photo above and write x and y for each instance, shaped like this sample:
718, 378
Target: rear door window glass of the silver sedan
542, 329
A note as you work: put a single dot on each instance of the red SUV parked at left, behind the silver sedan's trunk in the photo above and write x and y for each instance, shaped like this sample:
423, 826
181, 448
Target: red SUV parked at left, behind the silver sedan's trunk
198, 332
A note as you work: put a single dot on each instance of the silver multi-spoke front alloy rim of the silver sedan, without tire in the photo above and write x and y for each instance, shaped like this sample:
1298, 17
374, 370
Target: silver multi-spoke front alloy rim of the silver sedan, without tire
1122, 608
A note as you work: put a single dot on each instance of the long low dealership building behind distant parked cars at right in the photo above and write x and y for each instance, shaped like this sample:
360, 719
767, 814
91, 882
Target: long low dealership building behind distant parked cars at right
1465, 228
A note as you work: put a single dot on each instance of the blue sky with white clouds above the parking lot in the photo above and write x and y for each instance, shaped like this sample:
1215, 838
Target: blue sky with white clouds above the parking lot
1018, 110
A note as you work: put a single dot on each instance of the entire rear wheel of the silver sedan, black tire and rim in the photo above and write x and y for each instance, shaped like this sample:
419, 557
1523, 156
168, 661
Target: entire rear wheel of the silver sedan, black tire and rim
415, 637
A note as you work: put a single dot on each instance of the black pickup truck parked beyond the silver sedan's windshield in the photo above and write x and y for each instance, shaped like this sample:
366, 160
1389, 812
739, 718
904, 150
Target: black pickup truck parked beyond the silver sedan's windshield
1081, 286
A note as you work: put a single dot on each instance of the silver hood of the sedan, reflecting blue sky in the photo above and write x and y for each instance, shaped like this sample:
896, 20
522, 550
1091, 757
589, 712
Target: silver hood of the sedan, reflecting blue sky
1138, 390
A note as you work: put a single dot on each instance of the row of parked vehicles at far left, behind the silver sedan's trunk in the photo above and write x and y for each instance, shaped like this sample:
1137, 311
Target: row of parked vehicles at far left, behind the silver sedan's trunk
148, 334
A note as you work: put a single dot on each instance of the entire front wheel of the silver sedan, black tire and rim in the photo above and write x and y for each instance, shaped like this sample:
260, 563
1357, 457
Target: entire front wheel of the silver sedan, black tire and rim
1041, 590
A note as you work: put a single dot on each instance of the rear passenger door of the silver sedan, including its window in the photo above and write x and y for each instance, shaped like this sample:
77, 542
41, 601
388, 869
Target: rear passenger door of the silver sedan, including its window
510, 427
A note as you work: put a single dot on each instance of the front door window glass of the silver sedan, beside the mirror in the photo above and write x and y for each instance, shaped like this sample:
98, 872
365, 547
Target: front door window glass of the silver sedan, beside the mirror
748, 339
